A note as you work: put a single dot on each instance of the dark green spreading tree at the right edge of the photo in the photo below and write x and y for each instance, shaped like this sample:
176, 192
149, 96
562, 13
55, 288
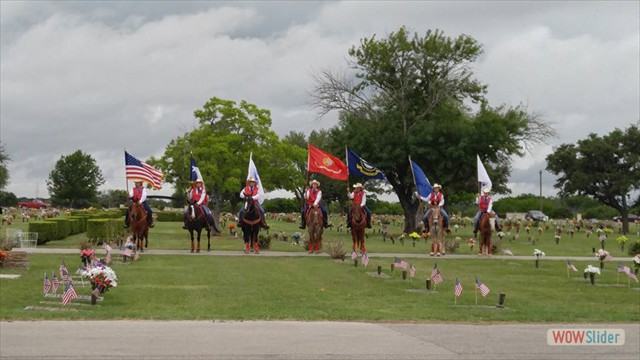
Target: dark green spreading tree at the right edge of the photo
607, 168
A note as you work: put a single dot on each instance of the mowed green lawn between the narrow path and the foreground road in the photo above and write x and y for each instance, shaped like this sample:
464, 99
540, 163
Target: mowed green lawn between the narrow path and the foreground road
247, 287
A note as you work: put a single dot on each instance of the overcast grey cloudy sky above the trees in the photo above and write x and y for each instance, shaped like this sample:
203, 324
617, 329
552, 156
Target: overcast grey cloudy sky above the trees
102, 76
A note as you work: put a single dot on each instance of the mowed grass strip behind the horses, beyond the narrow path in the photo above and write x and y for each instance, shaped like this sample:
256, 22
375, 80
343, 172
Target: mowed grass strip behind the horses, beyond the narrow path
171, 236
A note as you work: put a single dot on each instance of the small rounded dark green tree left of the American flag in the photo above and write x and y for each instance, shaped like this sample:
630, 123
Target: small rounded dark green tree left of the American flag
74, 181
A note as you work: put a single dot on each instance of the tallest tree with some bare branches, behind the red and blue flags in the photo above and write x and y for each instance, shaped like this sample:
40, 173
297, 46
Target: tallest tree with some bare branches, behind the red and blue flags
408, 97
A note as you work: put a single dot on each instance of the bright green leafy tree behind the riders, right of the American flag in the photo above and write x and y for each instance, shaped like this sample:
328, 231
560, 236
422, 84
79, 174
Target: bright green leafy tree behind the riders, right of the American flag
227, 133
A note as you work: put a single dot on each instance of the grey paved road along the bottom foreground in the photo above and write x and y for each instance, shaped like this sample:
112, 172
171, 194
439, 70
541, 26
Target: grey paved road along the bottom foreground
276, 340
